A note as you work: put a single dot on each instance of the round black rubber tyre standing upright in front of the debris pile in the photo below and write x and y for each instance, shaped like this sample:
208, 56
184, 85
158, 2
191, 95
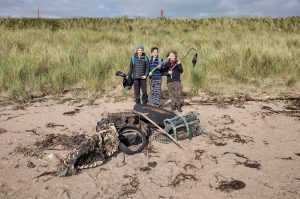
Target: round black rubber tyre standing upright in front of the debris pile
140, 139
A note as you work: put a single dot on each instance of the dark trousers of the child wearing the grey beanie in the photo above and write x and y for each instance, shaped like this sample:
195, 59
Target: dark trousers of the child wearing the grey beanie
140, 84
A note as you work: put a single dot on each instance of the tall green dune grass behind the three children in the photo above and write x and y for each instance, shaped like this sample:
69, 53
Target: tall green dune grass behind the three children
50, 56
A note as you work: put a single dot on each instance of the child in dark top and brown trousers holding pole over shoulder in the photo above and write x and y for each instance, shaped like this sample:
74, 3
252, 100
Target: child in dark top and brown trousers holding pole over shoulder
173, 70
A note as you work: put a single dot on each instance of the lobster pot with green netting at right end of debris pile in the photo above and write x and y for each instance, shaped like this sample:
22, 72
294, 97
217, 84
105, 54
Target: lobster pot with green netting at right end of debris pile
182, 127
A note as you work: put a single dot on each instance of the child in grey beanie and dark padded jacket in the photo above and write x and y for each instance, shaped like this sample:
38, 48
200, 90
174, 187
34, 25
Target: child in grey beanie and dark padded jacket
139, 70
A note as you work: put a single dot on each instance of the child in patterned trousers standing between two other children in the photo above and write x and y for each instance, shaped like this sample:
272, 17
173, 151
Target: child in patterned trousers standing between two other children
155, 75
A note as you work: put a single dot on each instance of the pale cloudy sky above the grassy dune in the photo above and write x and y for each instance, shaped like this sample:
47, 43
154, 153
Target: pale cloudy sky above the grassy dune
149, 8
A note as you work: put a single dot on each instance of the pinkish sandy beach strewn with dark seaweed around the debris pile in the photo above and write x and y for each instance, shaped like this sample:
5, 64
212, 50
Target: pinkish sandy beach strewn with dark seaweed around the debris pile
255, 154
